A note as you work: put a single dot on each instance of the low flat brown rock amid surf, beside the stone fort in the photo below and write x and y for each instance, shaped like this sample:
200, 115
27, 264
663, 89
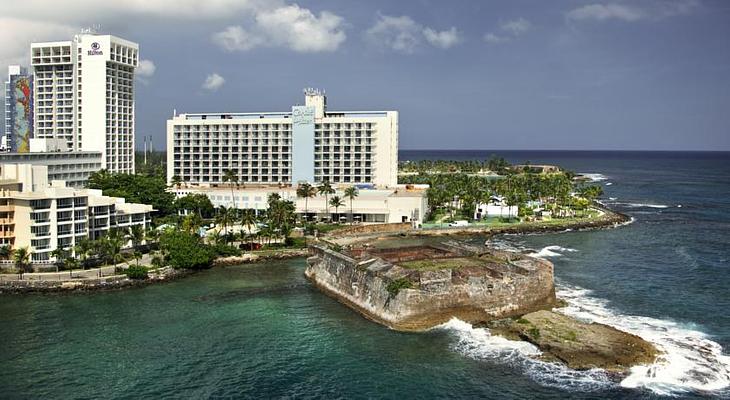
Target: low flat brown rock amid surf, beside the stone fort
577, 344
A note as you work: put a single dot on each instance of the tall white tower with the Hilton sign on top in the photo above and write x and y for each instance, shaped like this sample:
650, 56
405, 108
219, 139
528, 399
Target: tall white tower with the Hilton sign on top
84, 93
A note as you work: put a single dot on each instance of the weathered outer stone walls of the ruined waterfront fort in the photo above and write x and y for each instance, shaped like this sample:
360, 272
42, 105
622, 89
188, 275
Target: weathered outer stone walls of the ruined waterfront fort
521, 287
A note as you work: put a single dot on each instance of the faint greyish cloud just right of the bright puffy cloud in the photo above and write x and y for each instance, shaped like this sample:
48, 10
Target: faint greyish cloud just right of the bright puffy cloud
404, 35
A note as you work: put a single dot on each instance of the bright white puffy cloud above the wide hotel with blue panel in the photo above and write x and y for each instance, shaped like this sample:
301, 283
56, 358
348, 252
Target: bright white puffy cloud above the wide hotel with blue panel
290, 26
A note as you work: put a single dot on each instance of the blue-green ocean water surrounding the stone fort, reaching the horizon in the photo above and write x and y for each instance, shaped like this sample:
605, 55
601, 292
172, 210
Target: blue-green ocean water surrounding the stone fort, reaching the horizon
262, 331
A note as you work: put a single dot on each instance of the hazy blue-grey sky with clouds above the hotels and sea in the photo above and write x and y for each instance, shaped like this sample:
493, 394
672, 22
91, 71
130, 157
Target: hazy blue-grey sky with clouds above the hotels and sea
463, 74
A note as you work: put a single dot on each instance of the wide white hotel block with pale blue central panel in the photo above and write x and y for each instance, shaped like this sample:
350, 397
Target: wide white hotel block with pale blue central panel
308, 144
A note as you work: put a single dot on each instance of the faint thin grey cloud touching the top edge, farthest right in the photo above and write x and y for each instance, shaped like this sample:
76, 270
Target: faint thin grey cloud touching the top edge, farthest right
631, 13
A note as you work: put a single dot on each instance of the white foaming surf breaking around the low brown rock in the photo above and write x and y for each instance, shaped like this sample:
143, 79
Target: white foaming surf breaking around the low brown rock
690, 361
